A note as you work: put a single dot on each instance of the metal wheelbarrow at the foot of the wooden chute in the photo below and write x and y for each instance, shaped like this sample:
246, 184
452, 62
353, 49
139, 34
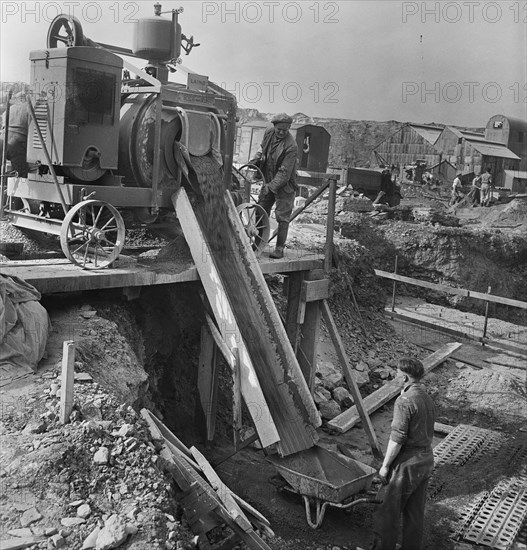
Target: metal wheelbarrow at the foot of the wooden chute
325, 479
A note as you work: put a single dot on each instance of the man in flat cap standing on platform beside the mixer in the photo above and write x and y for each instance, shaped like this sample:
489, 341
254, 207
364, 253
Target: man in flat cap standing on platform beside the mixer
276, 158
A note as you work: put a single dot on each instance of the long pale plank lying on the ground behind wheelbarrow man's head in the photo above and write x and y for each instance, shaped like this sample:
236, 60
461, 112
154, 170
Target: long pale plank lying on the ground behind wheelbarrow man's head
378, 398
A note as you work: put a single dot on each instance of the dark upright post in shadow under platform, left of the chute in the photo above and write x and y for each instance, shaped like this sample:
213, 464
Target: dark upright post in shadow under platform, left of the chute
208, 381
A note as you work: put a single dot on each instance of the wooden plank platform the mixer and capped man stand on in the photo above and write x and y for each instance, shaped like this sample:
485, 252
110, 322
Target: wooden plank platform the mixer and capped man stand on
59, 275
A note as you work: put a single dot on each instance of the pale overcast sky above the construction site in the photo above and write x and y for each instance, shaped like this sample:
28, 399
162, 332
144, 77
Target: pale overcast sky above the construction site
450, 62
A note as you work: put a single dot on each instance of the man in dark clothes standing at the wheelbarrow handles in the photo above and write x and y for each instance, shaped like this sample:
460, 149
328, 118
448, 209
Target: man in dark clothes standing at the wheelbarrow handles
408, 464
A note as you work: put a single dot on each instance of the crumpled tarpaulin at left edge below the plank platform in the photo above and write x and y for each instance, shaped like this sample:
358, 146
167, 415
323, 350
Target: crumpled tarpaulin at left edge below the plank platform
24, 326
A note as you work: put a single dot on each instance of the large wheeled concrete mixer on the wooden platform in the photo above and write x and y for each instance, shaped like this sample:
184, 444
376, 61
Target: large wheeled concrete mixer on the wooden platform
107, 150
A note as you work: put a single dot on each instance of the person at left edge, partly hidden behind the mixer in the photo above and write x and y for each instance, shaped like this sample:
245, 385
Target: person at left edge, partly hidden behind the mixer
17, 134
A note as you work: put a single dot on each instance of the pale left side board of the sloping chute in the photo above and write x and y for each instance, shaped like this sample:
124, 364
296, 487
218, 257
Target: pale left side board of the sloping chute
221, 306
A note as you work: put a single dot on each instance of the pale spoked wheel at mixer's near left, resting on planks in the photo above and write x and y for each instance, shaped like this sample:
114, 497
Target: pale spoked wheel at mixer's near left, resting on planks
92, 234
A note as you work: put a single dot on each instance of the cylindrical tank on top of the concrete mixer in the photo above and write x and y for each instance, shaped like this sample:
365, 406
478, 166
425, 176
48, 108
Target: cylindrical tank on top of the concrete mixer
155, 39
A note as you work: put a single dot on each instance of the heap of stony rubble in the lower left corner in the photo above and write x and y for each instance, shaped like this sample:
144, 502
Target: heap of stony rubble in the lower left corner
92, 483
